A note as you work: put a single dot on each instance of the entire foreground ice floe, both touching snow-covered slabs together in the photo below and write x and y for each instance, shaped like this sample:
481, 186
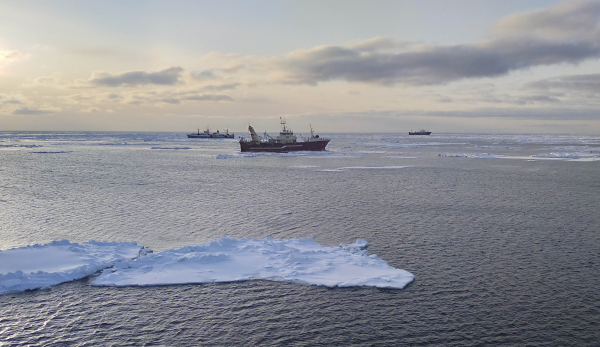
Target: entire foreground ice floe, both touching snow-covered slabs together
223, 260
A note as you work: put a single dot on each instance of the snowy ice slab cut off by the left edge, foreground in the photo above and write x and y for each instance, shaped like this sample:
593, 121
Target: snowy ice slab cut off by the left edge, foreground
42, 266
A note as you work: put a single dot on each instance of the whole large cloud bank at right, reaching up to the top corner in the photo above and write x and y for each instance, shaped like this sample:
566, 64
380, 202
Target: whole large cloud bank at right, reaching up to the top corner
566, 33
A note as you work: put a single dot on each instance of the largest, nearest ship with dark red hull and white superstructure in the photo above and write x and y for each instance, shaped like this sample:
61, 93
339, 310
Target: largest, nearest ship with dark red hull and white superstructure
285, 142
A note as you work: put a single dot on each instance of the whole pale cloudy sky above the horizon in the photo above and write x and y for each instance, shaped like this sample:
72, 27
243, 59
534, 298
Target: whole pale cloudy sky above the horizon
462, 66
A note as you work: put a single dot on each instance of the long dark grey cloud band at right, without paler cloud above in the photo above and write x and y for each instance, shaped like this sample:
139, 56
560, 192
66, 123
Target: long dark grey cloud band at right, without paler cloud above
428, 65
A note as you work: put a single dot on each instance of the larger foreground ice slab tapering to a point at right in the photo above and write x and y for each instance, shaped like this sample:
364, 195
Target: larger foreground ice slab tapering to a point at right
227, 260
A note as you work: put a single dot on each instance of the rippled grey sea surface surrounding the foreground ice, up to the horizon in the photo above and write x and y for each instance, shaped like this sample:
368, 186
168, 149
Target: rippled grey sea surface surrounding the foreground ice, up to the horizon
500, 231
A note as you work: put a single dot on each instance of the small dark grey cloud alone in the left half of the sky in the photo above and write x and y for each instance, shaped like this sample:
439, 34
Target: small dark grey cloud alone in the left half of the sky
168, 76
